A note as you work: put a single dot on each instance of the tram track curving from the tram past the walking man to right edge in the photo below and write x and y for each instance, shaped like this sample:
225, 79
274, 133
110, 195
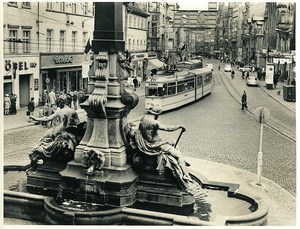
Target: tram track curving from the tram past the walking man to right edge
272, 123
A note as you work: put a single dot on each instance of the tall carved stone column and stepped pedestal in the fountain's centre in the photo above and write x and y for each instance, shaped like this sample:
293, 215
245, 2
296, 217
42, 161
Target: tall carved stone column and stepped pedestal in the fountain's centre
100, 172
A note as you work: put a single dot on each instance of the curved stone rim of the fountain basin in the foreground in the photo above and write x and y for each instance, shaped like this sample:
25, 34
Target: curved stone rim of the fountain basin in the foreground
45, 209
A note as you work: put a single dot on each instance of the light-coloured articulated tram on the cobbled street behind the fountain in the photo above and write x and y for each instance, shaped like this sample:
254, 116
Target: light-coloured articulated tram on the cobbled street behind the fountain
170, 91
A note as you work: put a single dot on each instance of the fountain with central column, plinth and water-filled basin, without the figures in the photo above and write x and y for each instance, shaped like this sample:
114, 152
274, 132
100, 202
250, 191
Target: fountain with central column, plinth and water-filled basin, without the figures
107, 181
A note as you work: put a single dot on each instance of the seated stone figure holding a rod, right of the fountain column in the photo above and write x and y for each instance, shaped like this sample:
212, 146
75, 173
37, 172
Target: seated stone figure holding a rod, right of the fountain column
147, 140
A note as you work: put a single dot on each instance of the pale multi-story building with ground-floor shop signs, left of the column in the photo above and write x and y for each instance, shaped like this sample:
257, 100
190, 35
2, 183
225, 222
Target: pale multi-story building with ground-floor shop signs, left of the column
43, 46
